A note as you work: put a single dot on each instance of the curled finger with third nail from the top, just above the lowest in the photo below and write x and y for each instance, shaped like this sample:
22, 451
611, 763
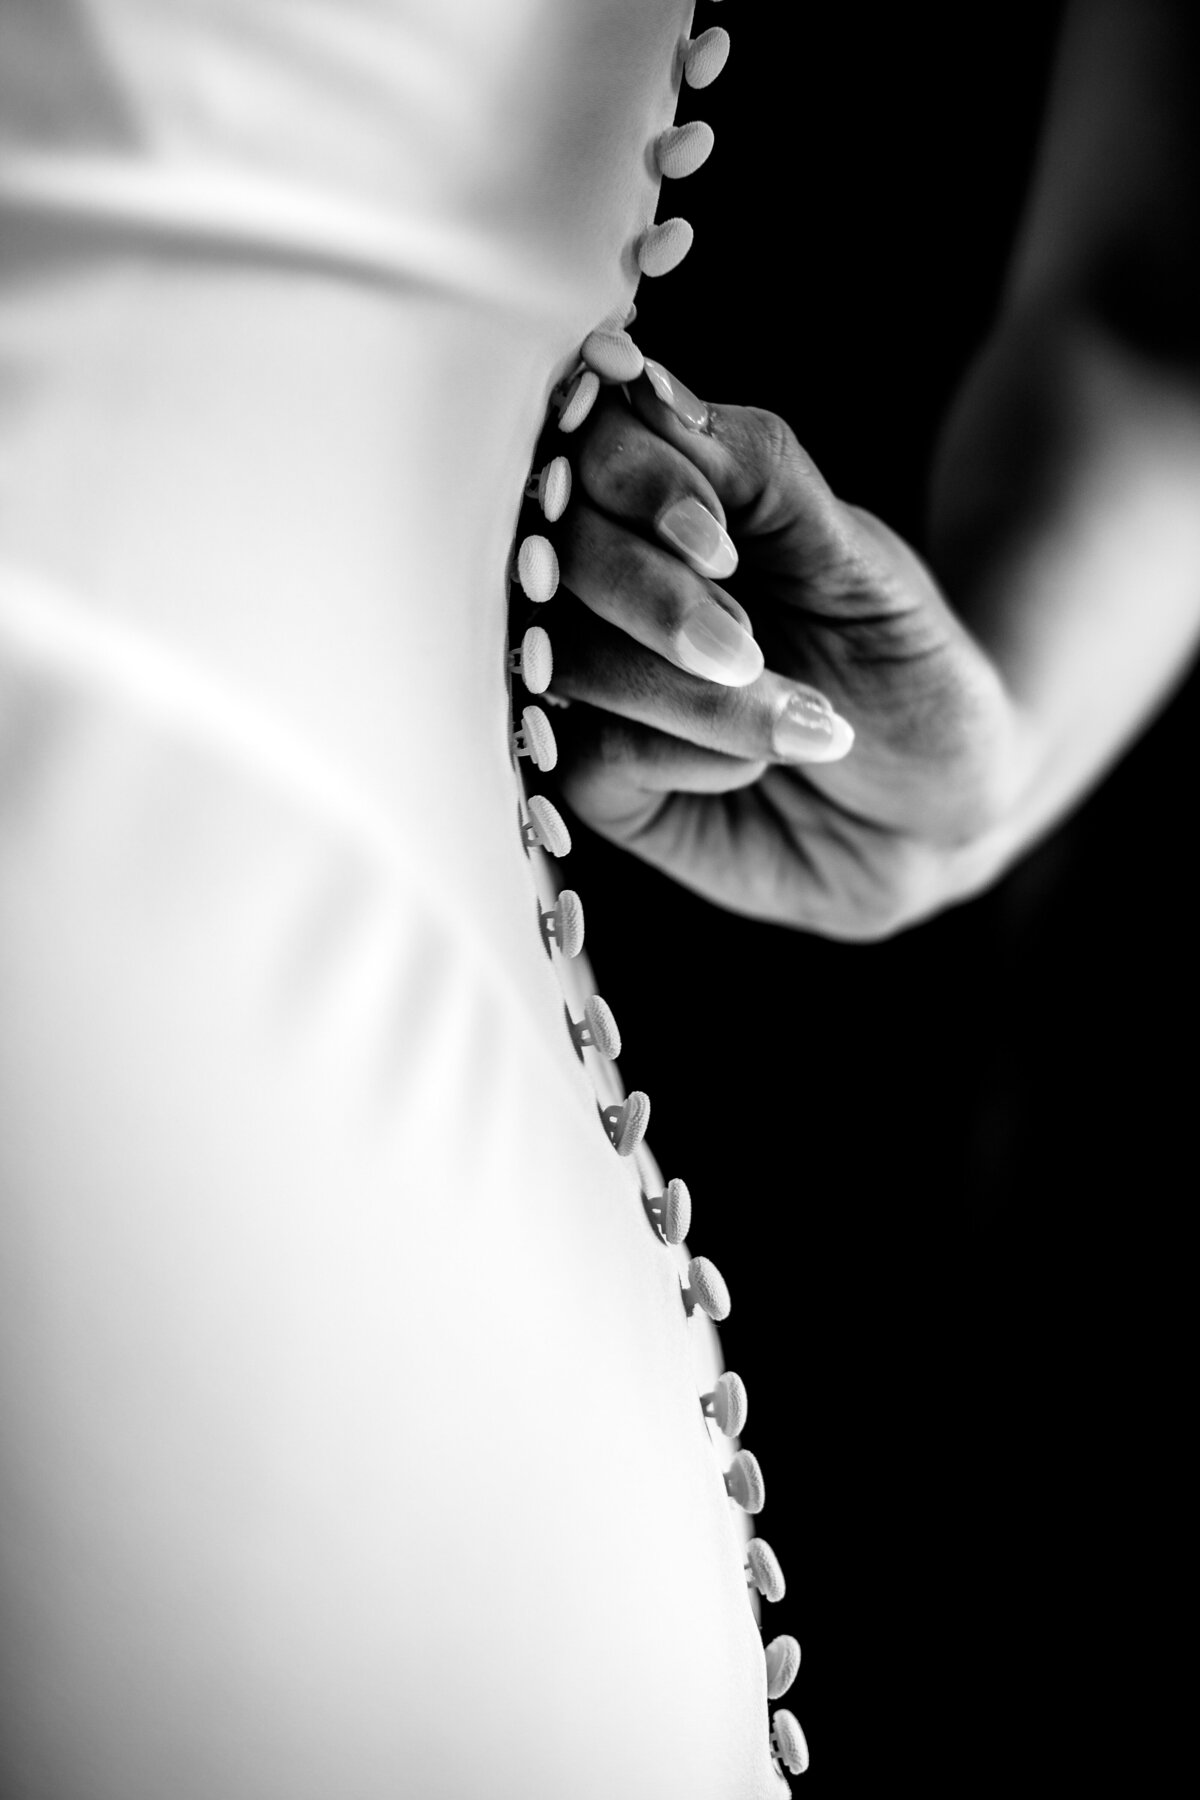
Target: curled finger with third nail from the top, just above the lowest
658, 600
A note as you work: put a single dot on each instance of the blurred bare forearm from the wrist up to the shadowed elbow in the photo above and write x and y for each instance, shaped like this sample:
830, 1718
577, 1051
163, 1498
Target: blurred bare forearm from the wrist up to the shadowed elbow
1066, 534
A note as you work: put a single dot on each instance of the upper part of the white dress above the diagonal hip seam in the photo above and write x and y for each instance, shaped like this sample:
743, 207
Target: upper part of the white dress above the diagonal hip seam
359, 244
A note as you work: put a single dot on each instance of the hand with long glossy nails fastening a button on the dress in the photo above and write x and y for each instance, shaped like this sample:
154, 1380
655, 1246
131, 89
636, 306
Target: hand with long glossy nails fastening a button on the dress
731, 766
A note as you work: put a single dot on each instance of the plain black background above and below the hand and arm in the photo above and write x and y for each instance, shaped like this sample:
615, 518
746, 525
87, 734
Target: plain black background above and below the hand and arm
947, 1176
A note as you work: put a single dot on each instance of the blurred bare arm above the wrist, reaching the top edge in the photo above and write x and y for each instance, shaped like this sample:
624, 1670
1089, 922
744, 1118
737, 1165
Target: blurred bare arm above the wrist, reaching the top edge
1066, 528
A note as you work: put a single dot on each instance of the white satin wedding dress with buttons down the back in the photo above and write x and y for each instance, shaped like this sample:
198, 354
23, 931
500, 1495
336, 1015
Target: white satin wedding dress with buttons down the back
352, 1423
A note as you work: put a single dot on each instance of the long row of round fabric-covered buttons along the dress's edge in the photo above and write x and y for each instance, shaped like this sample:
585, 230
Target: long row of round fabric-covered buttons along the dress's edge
613, 355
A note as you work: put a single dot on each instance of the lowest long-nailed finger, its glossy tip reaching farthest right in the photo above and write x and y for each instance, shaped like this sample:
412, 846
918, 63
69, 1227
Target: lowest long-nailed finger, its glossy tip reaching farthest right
771, 721
